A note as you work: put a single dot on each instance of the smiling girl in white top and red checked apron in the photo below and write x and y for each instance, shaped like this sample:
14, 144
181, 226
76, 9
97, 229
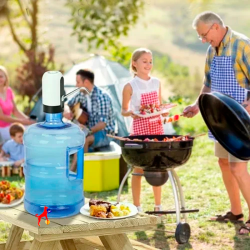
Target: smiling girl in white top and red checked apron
142, 89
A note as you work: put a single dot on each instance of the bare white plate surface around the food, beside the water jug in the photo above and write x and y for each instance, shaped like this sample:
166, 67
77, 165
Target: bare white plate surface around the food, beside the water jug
85, 211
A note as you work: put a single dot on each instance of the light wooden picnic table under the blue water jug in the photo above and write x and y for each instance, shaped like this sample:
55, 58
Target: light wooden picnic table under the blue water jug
74, 233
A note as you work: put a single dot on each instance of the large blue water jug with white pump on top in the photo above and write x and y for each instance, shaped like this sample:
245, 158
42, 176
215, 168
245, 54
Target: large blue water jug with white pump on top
48, 146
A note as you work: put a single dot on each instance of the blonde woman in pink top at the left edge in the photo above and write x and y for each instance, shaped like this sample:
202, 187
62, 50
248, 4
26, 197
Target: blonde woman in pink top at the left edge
9, 112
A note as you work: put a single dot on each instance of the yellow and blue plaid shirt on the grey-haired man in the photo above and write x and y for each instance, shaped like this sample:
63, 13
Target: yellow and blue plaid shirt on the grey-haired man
240, 53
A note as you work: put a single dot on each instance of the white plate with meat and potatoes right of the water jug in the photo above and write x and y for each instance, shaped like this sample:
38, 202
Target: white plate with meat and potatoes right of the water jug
103, 210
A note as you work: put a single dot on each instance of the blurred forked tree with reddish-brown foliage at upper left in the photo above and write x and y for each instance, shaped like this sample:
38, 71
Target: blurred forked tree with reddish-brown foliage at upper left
23, 25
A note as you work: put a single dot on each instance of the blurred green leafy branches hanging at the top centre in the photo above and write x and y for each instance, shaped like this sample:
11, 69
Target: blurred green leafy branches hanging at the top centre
103, 22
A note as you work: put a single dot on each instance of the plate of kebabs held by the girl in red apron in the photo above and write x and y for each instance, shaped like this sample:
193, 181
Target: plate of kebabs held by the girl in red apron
150, 110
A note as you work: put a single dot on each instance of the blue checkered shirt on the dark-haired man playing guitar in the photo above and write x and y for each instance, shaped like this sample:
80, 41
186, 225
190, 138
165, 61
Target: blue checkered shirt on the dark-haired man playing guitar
102, 109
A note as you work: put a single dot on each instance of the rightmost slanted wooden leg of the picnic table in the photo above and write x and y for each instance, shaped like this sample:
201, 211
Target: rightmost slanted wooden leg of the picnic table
118, 241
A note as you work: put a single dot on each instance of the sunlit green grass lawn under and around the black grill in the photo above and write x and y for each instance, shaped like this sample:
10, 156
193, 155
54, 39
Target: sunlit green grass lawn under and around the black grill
203, 189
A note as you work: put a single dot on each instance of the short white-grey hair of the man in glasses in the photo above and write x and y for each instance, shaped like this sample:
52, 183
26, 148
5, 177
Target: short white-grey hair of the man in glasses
207, 17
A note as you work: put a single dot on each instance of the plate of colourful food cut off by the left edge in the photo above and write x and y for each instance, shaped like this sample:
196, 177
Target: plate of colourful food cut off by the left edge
10, 195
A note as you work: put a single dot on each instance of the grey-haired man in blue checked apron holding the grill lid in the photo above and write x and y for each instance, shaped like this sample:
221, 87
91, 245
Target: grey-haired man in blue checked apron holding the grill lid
227, 70
